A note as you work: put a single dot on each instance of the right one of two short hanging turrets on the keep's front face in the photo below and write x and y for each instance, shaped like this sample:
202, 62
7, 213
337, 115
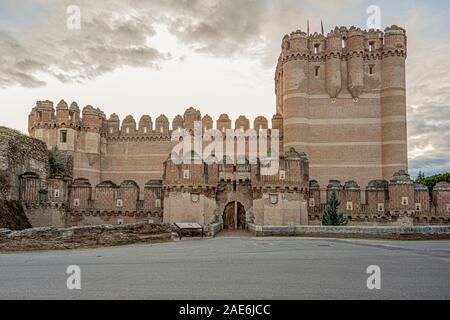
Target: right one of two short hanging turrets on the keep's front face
355, 64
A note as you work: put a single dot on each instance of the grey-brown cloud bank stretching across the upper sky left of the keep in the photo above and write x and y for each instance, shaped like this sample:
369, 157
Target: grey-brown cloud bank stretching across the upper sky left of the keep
115, 34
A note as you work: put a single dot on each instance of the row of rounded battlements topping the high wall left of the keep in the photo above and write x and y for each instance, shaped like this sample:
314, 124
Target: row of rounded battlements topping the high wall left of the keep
91, 119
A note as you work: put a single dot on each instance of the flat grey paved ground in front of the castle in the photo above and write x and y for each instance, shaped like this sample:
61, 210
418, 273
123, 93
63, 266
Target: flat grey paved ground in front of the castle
235, 268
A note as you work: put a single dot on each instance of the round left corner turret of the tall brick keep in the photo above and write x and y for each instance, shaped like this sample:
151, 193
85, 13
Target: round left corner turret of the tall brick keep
295, 57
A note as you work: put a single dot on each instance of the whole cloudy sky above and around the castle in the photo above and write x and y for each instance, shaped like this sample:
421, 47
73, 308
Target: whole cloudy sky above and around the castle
162, 56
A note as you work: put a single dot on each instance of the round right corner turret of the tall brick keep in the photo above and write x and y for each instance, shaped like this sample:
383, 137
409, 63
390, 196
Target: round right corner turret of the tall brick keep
393, 102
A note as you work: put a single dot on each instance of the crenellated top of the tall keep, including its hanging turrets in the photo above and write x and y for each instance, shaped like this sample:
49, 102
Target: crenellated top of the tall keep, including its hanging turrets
353, 47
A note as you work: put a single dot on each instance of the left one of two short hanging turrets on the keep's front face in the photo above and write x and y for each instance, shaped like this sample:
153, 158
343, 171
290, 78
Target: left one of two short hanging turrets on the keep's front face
333, 63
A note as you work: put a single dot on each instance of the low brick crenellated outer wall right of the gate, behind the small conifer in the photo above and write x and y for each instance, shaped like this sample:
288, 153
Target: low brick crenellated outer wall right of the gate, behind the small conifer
384, 202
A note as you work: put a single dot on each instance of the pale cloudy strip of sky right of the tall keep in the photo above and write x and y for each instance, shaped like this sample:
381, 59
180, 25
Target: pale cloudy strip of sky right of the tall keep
428, 81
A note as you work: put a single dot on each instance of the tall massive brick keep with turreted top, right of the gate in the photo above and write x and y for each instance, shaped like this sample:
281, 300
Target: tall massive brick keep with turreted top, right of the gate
342, 100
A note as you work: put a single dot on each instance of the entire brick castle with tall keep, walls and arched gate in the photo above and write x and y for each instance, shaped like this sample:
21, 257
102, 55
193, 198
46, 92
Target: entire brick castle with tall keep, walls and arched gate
341, 118
